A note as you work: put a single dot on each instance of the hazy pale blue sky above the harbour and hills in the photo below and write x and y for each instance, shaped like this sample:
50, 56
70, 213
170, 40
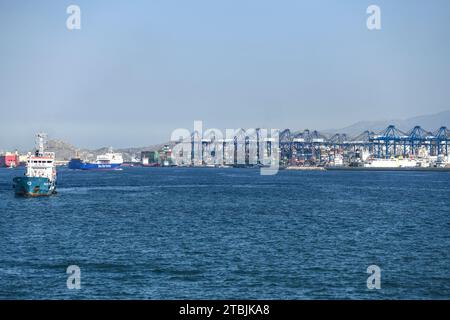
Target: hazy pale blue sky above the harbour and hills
139, 69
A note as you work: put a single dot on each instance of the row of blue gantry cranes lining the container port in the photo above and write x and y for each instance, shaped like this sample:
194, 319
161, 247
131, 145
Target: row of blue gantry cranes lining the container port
249, 147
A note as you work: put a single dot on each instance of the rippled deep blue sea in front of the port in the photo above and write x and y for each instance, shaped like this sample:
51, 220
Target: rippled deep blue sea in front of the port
199, 233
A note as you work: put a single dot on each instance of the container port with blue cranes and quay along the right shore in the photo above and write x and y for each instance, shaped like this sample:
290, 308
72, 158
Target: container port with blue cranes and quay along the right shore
390, 147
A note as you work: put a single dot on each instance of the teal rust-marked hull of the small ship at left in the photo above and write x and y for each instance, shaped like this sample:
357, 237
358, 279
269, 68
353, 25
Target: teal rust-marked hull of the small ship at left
33, 186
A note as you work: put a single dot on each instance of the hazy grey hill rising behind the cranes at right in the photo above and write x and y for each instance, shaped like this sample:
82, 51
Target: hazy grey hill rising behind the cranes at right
428, 122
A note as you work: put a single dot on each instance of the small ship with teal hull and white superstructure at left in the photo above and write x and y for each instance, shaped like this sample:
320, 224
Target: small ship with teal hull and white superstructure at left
40, 175
